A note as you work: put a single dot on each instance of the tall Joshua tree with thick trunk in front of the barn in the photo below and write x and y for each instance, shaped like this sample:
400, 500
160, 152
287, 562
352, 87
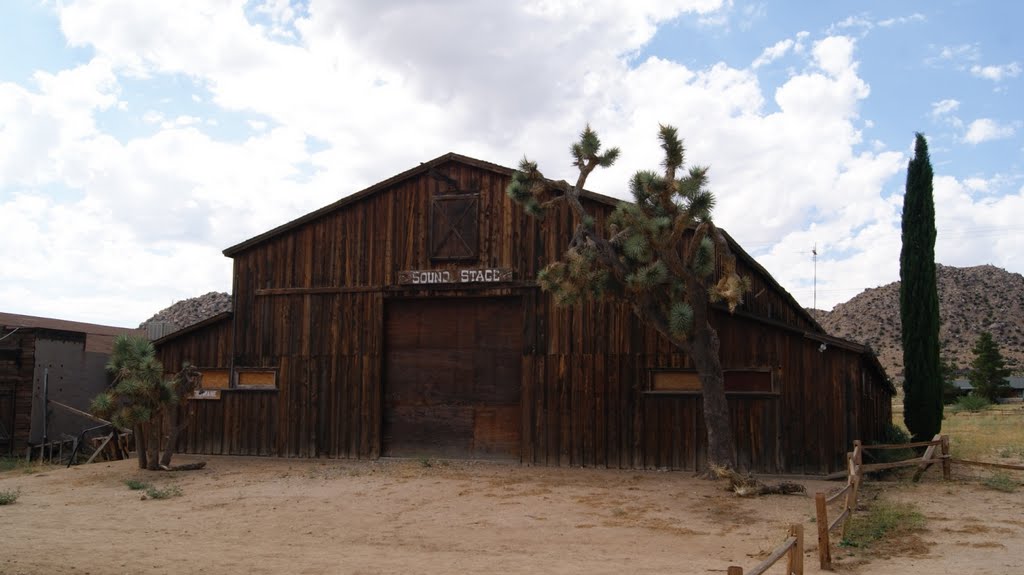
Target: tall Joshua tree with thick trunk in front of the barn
658, 255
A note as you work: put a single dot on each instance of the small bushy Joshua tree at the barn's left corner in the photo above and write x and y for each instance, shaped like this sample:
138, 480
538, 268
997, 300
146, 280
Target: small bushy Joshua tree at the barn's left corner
142, 397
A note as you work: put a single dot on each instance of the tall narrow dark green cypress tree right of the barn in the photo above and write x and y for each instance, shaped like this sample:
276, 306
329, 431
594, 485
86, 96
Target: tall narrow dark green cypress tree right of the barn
919, 301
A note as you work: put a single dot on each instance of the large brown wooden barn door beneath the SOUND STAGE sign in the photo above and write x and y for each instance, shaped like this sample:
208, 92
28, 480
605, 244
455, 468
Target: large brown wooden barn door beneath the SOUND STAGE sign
452, 378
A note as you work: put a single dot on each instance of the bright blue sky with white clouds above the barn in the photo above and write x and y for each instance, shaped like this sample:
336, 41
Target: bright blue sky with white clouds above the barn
140, 140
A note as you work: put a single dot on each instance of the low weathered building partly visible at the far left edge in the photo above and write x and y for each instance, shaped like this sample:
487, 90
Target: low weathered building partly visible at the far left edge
42, 360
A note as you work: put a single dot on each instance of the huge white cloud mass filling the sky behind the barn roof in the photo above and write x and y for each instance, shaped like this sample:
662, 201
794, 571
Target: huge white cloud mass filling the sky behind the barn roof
381, 87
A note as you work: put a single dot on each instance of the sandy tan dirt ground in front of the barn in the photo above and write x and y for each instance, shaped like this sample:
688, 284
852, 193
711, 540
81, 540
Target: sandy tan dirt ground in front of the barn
247, 515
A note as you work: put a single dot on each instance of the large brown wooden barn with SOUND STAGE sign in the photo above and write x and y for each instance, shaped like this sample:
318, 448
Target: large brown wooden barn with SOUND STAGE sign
405, 321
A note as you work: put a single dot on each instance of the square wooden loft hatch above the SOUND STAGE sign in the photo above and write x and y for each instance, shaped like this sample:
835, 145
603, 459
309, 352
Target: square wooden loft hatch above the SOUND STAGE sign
455, 228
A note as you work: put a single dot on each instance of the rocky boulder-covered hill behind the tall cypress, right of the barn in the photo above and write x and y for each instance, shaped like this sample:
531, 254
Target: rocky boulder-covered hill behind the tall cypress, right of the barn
972, 300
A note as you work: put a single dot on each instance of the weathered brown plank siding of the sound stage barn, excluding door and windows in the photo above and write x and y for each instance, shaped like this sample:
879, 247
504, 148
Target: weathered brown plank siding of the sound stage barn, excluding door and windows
310, 303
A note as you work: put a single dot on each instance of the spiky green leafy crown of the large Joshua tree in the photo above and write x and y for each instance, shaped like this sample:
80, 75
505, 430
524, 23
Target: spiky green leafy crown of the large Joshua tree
644, 251
